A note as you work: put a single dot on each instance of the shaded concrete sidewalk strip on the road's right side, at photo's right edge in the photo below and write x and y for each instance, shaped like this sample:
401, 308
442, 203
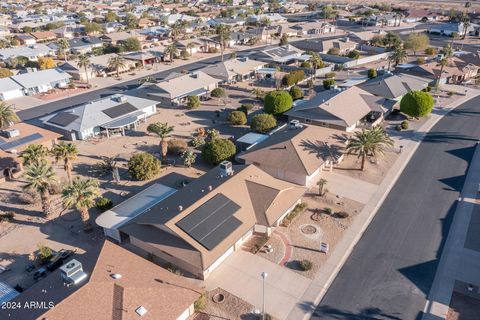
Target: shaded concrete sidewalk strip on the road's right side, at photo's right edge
454, 253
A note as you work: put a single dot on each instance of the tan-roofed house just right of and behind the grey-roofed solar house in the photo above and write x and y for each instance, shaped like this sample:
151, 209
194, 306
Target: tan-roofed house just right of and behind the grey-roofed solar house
177, 87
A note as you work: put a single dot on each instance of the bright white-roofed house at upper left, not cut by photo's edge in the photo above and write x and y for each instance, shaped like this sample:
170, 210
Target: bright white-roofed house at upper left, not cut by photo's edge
42, 81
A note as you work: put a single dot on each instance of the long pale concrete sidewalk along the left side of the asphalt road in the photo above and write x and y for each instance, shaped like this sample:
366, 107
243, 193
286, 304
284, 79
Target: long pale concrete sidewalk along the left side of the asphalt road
327, 273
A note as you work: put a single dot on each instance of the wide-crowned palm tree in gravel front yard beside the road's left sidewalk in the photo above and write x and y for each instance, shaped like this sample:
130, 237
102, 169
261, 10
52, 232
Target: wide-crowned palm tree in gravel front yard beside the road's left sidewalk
369, 142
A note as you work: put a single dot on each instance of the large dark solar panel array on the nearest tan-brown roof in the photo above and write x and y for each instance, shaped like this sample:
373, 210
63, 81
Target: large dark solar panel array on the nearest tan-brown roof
212, 222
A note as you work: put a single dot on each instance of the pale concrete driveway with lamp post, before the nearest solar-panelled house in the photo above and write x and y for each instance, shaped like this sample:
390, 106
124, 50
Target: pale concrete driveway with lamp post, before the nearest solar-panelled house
240, 275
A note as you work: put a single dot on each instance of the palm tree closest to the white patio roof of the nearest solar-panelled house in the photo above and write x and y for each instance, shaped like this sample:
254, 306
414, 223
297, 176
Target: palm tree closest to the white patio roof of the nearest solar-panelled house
81, 194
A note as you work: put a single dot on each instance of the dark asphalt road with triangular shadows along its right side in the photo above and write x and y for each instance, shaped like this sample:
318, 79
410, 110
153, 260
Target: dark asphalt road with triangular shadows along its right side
390, 272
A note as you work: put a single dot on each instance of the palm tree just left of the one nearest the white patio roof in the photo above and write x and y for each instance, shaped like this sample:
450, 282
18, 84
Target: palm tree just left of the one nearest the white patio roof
39, 177
